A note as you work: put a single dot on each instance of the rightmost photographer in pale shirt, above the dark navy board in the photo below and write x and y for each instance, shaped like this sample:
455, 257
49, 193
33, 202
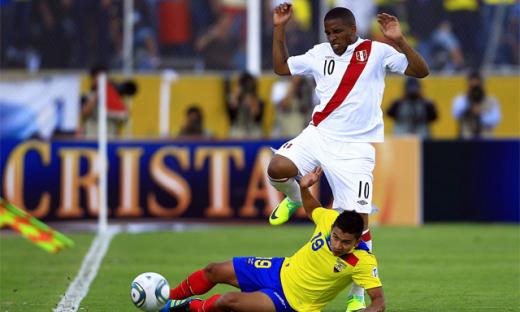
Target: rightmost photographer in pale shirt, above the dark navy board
478, 114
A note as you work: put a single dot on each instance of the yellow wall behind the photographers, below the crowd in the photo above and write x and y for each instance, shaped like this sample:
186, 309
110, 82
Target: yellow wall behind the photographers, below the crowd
208, 91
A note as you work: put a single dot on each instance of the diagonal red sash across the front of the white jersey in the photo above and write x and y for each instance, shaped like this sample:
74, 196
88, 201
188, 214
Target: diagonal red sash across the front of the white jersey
355, 68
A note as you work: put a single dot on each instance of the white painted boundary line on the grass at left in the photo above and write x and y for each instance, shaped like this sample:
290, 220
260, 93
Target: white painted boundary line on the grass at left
78, 289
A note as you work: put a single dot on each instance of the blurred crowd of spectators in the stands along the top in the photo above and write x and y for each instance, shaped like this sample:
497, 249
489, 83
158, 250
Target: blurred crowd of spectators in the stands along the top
210, 34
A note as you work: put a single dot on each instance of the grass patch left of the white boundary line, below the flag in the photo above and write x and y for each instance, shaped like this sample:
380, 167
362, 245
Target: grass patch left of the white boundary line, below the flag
34, 280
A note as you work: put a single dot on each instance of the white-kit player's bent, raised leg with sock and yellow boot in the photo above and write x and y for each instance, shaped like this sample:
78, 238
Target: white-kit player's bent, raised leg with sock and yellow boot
282, 172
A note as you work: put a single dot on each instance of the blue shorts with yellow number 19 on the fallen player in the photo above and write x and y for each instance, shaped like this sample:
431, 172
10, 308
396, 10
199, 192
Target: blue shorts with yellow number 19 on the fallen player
262, 274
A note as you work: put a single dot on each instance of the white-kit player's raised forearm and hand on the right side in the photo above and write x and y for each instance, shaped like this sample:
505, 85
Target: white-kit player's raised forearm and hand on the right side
391, 29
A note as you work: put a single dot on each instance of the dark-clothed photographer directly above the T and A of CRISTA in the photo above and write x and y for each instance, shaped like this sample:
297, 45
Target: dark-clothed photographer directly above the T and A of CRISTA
246, 109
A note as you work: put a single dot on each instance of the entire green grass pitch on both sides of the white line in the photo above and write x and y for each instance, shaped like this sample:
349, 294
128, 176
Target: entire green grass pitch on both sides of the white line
455, 267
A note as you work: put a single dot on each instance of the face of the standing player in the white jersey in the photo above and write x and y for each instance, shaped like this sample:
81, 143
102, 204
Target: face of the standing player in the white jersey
339, 34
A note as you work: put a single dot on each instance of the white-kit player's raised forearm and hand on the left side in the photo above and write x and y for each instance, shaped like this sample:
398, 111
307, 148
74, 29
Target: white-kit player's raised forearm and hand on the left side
282, 14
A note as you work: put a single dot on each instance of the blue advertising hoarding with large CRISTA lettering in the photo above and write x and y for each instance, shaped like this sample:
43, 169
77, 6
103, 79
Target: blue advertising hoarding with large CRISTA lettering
58, 179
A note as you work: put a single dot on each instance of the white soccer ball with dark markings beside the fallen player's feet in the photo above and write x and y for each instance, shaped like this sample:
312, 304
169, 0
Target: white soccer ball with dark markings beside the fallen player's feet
150, 291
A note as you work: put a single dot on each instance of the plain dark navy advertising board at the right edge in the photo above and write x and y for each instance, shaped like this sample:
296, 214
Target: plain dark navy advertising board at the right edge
472, 181
